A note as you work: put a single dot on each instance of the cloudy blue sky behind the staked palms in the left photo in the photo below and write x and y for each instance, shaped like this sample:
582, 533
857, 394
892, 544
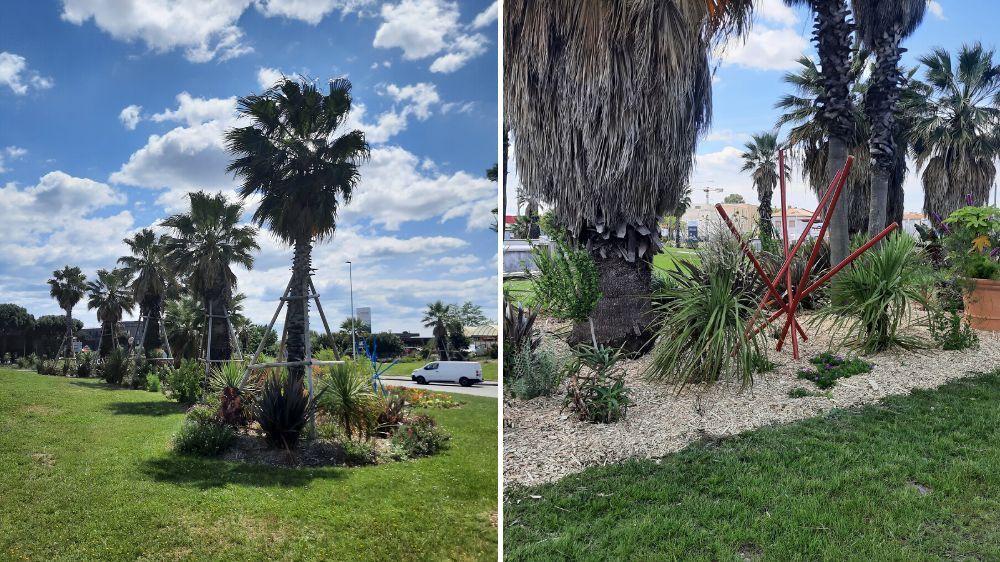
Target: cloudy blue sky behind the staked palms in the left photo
111, 111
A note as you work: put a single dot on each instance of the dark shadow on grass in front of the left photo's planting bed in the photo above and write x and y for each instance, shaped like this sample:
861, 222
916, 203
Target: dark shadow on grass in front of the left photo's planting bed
205, 473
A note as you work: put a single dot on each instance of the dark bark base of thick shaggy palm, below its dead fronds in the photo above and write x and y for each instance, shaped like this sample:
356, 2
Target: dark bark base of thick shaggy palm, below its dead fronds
623, 314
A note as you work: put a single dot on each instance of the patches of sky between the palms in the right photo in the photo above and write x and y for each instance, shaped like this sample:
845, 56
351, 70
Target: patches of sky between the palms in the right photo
748, 81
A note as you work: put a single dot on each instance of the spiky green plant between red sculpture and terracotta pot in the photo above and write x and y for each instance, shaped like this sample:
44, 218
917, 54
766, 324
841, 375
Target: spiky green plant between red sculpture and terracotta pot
872, 299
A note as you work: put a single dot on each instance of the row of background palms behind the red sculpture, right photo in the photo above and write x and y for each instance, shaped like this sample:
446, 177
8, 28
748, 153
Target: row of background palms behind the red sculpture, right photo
949, 122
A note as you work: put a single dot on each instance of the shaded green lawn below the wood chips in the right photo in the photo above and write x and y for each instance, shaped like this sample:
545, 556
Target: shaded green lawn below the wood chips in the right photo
916, 477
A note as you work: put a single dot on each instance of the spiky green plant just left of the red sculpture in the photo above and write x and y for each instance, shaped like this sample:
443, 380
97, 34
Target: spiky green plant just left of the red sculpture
702, 317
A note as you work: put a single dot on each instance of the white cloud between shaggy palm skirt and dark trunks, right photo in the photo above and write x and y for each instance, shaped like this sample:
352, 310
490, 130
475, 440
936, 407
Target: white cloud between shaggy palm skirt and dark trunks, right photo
765, 49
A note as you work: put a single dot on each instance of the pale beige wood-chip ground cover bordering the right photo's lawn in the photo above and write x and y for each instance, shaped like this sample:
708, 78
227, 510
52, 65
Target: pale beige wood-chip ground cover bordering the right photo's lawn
542, 444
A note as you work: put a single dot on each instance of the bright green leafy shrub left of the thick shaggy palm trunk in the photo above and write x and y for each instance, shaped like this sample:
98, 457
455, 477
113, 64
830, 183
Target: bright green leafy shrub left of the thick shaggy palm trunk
568, 285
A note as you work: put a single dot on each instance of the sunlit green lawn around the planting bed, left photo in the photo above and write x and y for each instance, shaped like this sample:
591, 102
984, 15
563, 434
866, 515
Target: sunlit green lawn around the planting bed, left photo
85, 473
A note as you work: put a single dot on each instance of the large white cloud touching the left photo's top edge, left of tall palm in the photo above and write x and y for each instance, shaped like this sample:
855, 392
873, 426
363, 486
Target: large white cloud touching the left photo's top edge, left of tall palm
205, 29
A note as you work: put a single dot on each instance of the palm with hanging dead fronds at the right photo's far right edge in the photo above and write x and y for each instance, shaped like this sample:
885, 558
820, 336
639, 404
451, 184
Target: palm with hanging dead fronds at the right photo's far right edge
954, 132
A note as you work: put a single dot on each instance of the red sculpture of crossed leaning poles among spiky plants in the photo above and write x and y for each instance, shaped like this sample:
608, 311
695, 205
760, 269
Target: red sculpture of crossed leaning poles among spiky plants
788, 303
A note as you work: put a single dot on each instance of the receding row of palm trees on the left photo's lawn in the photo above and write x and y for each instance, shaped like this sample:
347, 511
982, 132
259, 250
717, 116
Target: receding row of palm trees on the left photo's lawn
289, 157
